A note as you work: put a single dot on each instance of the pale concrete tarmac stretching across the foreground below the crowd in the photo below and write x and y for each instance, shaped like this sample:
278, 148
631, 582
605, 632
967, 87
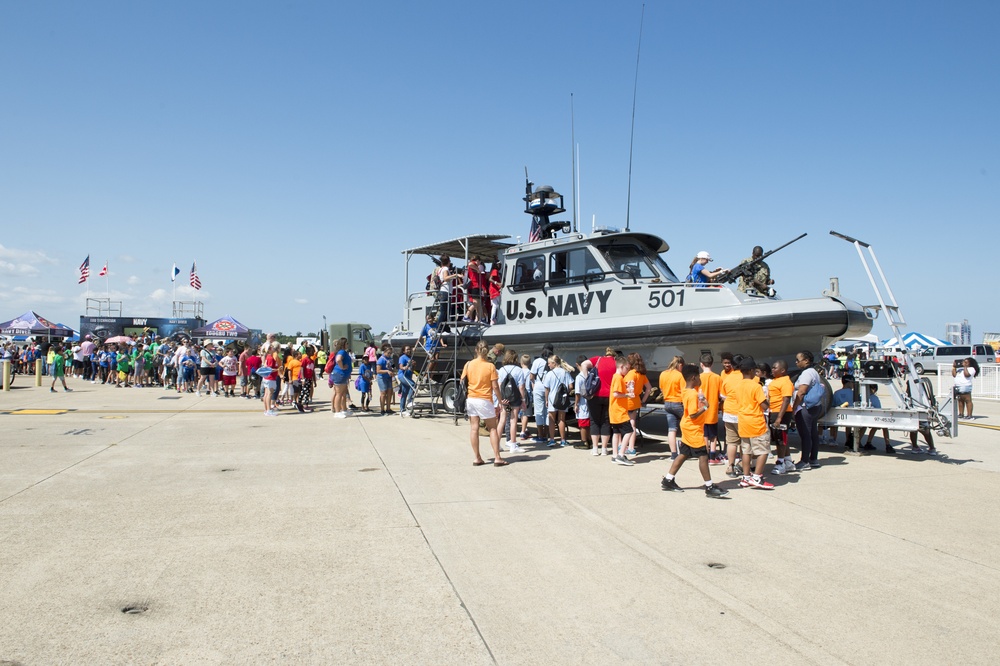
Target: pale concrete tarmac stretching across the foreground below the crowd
140, 526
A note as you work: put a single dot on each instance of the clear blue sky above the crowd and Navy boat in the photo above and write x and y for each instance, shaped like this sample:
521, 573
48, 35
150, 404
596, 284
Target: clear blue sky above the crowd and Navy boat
294, 149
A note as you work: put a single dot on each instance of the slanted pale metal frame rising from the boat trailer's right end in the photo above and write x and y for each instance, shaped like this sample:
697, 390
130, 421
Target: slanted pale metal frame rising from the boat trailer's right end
918, 394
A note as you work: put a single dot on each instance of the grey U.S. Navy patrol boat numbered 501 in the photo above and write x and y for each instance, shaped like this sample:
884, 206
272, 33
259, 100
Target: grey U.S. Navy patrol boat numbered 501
586, 292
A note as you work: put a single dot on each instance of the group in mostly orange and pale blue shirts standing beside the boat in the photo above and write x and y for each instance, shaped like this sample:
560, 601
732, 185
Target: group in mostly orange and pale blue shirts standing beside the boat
732, 418
